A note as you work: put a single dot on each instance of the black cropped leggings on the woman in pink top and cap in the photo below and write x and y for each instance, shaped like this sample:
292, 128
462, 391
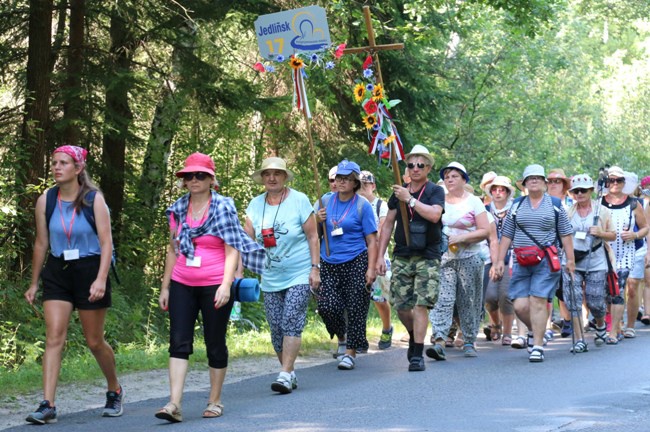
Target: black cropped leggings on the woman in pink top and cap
184, 305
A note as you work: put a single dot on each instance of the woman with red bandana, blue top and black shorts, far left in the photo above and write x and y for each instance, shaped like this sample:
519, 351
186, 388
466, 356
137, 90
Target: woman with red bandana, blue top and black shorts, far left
75, 275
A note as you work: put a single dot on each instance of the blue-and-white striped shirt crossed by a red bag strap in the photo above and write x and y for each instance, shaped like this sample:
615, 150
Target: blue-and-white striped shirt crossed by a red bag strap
539, 223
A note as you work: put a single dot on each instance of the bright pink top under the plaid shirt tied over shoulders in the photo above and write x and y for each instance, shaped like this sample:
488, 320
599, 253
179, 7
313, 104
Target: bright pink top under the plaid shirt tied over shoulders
212, 251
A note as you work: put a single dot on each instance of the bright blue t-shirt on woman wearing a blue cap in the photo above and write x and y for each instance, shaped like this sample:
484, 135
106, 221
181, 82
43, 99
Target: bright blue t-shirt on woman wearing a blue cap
355, 225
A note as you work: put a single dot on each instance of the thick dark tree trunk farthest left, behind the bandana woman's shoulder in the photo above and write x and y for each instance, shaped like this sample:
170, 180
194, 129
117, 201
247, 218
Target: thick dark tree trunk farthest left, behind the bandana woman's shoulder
30, 163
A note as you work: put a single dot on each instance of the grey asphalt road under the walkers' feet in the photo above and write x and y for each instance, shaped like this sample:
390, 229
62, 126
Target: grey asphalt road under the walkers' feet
605, 389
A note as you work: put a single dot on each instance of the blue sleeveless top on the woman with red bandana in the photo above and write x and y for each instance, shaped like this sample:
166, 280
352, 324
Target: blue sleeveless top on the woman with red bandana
83, 236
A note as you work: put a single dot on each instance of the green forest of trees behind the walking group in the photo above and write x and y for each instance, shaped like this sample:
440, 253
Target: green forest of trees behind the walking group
494, 84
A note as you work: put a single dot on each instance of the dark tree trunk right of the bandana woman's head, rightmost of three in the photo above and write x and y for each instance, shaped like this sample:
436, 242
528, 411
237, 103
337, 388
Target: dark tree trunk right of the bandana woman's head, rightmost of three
118, 114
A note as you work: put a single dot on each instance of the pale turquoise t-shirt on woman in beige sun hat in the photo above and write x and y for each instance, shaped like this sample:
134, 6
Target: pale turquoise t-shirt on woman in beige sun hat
289, 262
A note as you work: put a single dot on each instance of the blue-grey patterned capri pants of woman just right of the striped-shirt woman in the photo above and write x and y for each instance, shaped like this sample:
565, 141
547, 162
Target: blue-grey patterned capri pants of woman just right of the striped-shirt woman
595, 293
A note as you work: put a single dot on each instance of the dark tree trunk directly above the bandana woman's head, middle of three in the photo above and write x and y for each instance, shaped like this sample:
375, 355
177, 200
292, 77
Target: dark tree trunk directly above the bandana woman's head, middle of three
73, 102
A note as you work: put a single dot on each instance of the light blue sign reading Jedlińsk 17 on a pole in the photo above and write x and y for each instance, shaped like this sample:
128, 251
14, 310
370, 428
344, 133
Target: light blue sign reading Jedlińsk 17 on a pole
294, 31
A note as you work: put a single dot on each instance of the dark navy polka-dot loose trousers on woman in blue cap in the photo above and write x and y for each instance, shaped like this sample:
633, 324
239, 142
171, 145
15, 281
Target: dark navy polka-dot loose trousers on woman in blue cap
343, 288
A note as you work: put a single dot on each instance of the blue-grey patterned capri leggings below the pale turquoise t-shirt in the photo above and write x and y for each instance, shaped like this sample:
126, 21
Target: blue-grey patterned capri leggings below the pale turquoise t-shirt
286, 312
